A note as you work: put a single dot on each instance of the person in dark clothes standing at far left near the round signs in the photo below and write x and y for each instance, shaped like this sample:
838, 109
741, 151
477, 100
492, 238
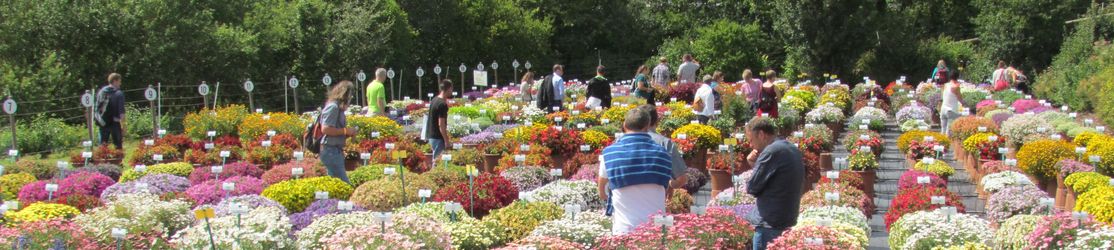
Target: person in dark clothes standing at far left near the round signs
110, 113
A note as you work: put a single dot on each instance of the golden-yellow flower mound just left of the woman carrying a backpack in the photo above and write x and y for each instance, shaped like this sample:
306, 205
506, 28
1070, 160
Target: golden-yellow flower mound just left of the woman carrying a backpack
257, 126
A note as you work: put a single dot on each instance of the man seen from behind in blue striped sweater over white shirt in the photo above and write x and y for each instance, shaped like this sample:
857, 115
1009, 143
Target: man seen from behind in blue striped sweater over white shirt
634, 174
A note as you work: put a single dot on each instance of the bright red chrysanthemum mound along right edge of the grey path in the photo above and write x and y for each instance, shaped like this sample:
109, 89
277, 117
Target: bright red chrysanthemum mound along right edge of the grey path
921, 199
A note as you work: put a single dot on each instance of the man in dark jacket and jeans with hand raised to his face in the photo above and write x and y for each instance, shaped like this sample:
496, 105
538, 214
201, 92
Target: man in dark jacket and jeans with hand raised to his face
777, 184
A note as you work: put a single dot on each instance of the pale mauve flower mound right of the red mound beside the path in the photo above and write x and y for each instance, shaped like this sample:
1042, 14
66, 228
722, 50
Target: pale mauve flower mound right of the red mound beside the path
1015, 200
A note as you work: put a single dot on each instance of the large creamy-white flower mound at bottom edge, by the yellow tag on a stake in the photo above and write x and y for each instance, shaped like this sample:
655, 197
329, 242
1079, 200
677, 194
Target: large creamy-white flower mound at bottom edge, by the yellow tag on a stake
263, 228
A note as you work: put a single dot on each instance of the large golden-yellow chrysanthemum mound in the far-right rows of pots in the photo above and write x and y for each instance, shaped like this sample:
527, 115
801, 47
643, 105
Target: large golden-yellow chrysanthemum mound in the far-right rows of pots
1040, 158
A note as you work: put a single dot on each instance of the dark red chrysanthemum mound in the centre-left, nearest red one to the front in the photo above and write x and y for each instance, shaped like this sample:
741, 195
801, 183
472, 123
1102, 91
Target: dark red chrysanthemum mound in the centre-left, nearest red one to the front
490, 193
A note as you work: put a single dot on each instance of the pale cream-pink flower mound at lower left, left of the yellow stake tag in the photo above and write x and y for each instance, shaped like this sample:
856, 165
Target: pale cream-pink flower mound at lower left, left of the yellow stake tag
138, 214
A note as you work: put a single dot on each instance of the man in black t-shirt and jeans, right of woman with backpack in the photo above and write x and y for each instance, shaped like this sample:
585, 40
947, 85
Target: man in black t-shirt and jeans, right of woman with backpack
437, 123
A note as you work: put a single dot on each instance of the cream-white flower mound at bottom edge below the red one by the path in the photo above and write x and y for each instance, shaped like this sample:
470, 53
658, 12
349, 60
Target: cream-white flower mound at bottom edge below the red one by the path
932, 229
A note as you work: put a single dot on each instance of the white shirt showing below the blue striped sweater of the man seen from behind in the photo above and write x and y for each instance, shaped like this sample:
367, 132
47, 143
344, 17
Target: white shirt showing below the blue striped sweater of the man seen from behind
633, 205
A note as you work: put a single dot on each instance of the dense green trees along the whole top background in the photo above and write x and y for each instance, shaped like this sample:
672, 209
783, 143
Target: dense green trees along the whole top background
55, 49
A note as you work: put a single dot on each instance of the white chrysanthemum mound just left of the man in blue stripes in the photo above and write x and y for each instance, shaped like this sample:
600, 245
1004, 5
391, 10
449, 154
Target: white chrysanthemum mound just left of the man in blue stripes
583, 194
